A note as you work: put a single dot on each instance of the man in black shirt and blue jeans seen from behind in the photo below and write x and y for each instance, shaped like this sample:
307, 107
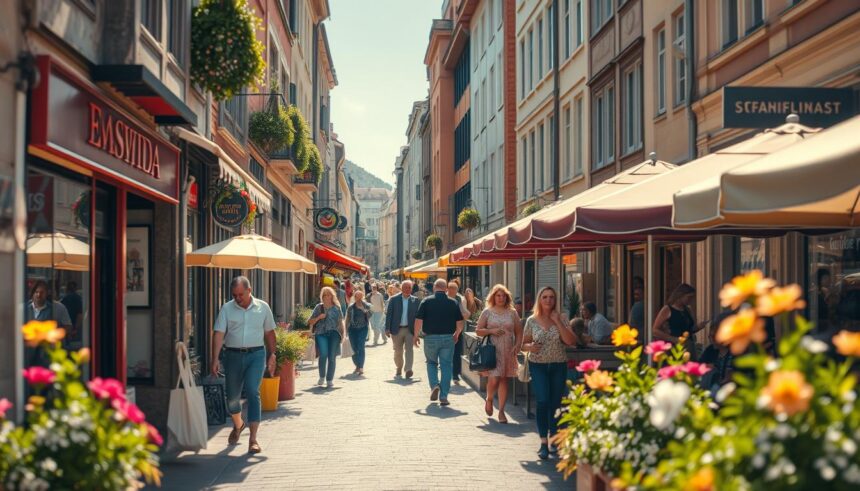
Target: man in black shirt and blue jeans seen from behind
441, 319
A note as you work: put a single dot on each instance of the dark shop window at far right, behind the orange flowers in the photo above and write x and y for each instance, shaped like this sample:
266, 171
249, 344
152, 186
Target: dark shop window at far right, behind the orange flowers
834, 278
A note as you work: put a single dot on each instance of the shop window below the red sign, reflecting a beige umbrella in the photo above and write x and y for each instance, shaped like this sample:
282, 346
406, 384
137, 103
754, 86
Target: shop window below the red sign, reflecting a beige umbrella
58, 255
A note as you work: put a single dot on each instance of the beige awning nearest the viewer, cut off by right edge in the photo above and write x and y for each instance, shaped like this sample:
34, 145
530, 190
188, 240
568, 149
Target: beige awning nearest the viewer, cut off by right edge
813, 183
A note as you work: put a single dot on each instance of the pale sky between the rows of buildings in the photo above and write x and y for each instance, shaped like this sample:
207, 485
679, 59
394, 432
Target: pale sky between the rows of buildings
378, 52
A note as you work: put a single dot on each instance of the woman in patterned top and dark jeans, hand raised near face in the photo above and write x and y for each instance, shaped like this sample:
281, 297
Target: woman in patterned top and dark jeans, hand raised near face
544, 337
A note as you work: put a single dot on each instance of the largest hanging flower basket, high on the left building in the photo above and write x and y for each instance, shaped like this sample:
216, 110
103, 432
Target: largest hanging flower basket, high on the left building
226, 56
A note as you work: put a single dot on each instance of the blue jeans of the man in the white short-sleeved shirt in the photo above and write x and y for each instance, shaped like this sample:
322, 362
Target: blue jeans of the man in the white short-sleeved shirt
244, 370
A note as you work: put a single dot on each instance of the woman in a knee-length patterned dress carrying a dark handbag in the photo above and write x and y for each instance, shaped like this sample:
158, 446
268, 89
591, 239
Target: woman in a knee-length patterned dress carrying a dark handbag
500, 321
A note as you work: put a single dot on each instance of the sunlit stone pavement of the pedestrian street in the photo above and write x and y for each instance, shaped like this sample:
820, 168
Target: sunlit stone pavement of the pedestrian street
373, 432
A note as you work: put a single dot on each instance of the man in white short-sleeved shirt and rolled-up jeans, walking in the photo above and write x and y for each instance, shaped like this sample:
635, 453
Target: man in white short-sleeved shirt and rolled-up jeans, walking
242, 326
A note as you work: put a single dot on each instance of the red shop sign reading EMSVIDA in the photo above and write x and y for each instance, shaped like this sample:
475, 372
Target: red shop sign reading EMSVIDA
73, 120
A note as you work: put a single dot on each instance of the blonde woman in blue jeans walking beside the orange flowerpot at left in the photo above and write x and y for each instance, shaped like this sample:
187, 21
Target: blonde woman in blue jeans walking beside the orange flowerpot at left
327, 324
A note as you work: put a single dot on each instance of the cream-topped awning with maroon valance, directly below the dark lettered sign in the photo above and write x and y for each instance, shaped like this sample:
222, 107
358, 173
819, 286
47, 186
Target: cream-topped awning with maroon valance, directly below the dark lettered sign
647, 206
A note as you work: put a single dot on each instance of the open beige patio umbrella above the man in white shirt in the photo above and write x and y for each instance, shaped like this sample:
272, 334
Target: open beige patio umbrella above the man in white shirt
250, 251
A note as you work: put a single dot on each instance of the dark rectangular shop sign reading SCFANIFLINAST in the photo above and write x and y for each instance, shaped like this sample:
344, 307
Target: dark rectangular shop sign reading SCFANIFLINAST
767, 107
